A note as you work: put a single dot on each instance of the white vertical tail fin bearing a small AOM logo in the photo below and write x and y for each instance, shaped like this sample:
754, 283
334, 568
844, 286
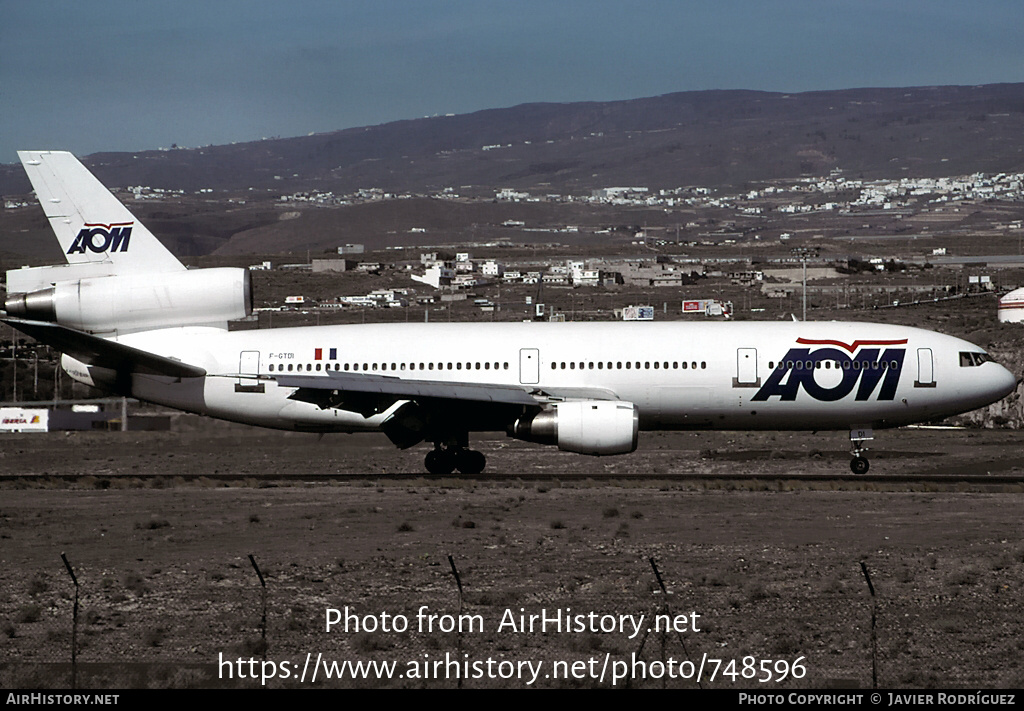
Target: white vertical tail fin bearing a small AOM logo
91, 224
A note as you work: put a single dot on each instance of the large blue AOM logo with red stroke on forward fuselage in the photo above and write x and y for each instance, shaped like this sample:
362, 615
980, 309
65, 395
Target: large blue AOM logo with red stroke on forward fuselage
829, 374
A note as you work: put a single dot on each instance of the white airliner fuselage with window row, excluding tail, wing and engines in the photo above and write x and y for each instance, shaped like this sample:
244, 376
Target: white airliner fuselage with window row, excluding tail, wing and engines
734, 375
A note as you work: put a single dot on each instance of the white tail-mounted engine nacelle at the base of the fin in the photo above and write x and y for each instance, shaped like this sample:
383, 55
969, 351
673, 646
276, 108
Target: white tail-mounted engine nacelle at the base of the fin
140, 302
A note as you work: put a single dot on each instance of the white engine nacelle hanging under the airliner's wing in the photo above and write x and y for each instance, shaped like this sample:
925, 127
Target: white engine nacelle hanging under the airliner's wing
584, 427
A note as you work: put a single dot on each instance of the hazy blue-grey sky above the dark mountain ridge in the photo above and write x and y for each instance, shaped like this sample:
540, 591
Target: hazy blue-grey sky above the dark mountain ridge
134, 75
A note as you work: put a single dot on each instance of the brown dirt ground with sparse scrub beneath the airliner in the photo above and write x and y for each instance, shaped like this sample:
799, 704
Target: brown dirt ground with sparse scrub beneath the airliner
771, 563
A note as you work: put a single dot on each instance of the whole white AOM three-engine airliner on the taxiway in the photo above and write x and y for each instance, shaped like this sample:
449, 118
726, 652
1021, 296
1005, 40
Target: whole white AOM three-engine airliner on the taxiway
131, 318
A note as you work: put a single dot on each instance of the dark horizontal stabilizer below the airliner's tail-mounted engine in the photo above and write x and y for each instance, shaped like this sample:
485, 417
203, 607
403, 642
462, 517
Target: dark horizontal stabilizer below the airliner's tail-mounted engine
95, 351
